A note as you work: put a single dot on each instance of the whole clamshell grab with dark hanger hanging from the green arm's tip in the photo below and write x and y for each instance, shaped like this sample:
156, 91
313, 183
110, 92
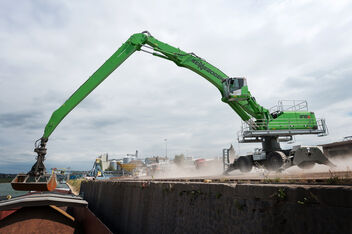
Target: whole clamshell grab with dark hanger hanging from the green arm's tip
36, 179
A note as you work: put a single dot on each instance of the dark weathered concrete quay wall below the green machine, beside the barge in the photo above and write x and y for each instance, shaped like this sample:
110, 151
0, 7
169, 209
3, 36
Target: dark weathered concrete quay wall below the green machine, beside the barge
181, 207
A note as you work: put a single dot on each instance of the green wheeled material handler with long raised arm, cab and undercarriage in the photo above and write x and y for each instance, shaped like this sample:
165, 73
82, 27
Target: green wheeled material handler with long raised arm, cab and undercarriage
263, 126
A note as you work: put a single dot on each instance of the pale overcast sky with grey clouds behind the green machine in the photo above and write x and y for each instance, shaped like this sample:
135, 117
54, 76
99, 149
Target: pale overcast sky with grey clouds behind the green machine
285, 49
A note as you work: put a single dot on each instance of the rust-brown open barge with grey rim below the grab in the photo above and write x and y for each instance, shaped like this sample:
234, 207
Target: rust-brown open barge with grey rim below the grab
48, 213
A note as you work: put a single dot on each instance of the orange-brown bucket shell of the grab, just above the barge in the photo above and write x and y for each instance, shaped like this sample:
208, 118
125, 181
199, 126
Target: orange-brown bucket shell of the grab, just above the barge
25, 182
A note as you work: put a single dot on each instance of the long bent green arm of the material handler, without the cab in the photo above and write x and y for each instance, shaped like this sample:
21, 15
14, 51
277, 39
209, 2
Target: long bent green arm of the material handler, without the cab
162, 50
